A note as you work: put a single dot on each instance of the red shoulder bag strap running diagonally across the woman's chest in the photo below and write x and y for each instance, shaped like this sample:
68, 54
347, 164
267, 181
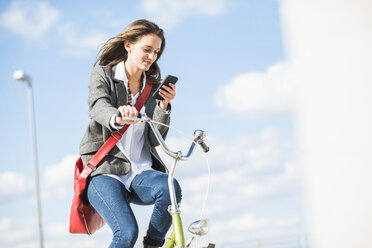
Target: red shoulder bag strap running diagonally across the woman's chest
116, 136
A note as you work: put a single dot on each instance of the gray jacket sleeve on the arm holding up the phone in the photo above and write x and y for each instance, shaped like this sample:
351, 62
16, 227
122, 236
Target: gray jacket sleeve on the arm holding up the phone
160, 116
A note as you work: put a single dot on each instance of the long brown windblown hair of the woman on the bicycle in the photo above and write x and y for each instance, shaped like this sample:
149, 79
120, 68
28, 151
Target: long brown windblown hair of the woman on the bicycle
113, 51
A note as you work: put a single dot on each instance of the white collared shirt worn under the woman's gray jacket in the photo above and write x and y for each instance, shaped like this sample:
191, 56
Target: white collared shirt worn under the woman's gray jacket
132, 144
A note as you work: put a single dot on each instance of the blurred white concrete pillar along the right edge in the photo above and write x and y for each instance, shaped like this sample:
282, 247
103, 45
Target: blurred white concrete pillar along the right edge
329, 49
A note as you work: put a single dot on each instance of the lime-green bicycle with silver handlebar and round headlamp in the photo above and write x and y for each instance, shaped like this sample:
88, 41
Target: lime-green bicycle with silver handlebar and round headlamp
197, 228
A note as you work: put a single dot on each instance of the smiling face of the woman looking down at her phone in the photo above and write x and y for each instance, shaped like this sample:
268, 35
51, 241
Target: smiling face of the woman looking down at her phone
144, 52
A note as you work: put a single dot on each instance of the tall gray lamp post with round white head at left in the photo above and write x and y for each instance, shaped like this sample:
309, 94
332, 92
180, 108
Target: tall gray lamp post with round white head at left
21, 76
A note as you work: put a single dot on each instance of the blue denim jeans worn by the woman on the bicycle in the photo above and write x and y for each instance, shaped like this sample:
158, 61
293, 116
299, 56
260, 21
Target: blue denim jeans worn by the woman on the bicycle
111, 200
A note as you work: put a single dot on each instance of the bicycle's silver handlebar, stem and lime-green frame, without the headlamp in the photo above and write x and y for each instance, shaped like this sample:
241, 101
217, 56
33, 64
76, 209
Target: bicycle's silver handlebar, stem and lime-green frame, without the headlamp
177, 238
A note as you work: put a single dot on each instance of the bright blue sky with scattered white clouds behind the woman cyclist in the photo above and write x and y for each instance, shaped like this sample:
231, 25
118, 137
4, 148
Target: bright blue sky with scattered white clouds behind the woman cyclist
229, 58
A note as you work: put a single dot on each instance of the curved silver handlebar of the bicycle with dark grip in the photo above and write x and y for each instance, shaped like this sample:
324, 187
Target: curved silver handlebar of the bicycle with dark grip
199, 136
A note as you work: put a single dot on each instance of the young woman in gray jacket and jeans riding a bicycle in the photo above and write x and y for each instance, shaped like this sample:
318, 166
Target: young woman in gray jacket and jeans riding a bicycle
132, 171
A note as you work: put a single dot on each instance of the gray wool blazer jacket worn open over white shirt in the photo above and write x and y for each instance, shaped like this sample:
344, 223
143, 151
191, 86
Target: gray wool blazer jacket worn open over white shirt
106, 94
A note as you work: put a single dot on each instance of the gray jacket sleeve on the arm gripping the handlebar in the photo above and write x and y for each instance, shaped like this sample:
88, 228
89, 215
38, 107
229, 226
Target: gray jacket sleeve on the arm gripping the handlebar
100, 97
